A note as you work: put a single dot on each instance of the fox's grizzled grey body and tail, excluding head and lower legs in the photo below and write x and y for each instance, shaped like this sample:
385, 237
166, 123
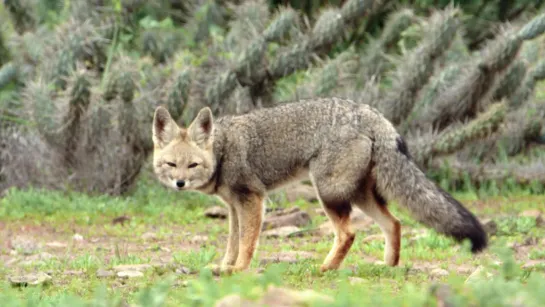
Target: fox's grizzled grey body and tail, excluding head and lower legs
344, 147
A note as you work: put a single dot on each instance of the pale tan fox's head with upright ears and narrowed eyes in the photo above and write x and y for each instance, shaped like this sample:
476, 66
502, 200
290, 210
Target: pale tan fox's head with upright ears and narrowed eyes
183, 158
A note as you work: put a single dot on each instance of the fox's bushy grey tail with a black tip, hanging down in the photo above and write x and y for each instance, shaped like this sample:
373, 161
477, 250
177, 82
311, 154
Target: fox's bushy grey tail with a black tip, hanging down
399, 178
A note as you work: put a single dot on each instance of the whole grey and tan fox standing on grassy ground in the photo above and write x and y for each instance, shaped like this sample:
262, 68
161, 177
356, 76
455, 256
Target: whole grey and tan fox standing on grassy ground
350, 152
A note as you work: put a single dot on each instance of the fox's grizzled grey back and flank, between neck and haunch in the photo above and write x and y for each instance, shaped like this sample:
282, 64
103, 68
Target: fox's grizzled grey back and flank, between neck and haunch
277, 143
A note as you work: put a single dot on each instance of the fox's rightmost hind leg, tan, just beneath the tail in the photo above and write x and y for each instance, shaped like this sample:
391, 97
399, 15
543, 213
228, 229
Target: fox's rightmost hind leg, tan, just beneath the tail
374, 205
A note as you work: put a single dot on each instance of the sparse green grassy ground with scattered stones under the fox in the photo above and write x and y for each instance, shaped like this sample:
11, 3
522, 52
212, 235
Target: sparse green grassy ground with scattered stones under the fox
77, 244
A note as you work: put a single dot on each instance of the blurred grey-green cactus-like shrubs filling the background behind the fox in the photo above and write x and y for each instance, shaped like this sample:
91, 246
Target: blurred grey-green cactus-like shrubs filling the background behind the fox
79, 80
